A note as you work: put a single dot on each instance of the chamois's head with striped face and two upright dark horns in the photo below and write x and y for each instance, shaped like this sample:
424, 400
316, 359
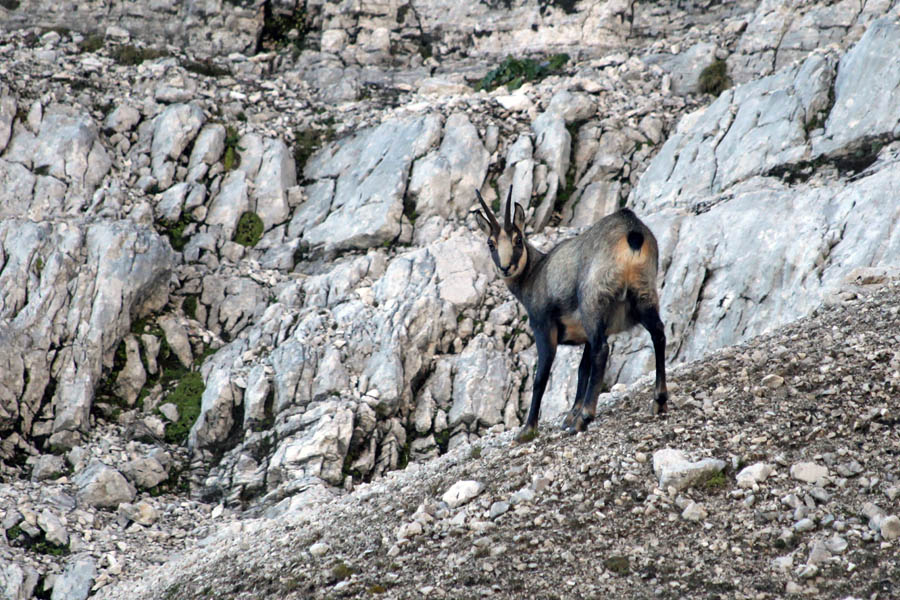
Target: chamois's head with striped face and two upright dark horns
507, 242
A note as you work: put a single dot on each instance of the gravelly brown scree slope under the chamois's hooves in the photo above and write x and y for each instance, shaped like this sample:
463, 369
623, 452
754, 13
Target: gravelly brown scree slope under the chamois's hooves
775, 474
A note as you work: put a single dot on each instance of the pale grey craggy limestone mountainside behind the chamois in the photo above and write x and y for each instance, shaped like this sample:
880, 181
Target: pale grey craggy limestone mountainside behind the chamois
238, 272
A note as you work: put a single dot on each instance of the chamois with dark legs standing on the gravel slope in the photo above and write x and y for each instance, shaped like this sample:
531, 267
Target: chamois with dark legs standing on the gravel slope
598, 283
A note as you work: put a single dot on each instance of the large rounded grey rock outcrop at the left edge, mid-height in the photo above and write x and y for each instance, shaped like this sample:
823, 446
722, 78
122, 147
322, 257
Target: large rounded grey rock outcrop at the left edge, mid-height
83, 283
